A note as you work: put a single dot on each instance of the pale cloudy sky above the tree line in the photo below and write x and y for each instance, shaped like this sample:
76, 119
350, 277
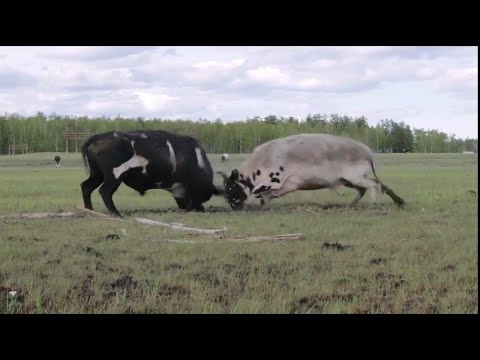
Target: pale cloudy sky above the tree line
426, 87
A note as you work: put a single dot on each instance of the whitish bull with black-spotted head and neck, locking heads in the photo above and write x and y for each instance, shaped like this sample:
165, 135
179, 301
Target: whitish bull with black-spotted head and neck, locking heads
303, 162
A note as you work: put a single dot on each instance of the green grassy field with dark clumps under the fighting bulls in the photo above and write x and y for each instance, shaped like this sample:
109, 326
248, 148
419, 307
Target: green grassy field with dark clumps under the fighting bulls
423, 259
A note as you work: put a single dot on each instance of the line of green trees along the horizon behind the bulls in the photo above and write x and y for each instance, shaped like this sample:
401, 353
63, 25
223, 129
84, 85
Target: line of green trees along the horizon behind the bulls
45, 132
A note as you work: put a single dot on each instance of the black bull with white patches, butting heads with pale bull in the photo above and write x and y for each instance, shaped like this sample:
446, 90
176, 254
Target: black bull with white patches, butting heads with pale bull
146, 160
